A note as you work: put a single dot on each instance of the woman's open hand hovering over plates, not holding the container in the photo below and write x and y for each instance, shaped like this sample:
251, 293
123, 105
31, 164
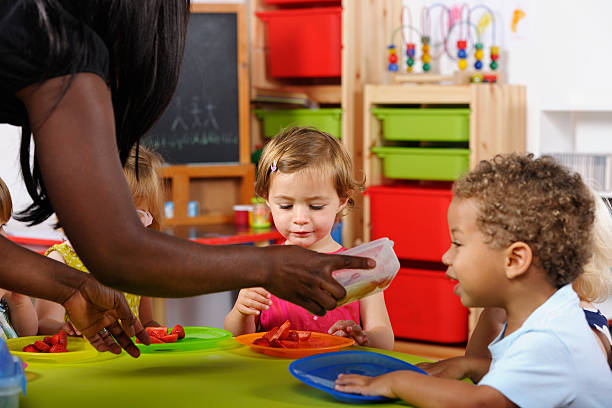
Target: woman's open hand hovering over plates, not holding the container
95, 310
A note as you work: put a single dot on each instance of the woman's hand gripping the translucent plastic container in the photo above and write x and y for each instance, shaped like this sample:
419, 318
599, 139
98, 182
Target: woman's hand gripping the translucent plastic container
305, 277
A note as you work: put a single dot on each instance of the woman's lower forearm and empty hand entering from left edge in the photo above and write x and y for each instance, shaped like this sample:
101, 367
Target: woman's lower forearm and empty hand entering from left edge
90, 305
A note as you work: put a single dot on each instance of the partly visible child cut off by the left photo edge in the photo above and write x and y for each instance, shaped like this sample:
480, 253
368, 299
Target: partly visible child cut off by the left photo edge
17, 314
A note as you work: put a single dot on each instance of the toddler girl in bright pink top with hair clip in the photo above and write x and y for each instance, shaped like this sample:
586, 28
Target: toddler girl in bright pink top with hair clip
306, 177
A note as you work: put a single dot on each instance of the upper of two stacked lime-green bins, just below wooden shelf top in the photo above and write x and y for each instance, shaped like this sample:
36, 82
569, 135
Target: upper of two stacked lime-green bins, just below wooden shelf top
437, 125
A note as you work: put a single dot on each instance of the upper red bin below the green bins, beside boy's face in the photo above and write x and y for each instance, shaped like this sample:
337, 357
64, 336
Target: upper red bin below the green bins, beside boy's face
412, 217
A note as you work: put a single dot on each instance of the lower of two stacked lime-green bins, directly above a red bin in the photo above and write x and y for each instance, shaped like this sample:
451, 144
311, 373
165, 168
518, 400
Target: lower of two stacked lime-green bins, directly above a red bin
422, 163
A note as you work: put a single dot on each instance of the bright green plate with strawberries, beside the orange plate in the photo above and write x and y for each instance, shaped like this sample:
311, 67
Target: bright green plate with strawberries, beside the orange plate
196, 338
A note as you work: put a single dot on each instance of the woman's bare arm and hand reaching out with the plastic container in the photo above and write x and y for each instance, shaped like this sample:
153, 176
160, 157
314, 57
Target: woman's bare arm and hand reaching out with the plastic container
78, 157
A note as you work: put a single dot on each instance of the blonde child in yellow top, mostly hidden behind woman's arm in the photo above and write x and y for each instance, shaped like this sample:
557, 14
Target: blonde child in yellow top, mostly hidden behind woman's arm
146, 189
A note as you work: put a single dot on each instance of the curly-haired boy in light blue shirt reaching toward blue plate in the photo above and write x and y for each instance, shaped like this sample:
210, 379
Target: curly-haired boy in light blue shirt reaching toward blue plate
521, 232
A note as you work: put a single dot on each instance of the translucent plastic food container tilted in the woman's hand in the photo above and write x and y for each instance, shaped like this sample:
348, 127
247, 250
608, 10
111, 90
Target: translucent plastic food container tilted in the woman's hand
360, 283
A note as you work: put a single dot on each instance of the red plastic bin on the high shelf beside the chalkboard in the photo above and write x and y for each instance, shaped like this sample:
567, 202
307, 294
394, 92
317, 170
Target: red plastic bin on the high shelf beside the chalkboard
304, 42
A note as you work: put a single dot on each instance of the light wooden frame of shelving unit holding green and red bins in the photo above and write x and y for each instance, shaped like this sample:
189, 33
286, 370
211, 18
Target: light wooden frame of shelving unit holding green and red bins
497, 125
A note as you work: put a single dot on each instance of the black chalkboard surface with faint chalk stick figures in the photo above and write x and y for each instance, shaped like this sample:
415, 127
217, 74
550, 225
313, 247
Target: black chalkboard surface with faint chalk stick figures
201, 124
